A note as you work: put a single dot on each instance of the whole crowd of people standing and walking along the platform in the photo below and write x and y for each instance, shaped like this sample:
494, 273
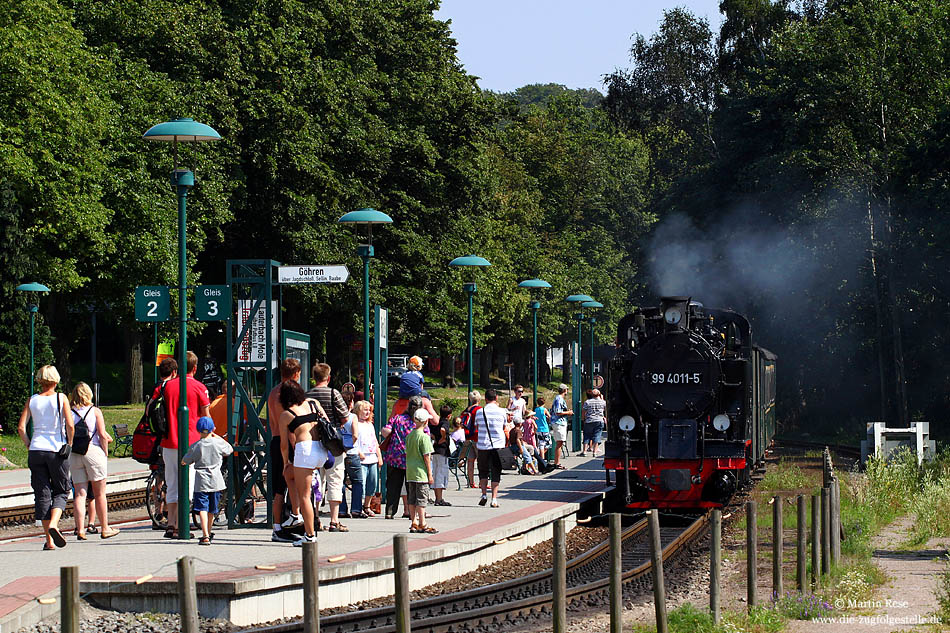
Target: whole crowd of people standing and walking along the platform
69, 449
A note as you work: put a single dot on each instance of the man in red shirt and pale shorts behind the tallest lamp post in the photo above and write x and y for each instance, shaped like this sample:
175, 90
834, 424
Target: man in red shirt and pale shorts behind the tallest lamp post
198, 406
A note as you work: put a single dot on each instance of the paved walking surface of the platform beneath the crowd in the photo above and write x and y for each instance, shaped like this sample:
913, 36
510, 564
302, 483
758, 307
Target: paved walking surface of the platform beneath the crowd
28, 572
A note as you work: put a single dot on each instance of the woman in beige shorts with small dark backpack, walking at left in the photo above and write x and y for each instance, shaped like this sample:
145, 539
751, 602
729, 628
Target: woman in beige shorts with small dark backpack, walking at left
88, 460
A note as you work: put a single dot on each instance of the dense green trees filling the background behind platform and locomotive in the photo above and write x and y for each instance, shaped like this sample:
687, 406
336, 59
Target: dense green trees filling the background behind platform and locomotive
789, 166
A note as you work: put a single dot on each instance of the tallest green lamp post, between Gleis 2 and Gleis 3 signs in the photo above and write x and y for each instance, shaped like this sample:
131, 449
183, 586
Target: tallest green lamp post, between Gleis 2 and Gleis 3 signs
184, 131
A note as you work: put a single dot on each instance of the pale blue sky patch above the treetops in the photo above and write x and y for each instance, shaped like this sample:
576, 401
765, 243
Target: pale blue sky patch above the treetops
510, 43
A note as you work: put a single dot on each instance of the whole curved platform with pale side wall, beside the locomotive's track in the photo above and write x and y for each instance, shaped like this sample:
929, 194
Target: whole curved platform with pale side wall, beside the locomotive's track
233, 585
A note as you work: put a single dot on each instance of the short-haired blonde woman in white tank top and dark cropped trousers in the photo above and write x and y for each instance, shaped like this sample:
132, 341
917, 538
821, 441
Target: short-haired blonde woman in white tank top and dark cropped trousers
49, 472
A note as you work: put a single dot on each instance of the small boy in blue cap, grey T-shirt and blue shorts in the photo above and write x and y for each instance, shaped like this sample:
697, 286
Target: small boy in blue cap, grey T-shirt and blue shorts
207, 454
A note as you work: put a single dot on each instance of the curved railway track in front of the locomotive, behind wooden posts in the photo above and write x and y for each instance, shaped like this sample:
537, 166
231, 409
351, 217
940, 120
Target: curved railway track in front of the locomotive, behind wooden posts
512, 603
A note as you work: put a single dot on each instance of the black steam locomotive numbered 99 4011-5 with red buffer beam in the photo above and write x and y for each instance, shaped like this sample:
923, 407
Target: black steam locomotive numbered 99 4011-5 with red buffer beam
691, 406
